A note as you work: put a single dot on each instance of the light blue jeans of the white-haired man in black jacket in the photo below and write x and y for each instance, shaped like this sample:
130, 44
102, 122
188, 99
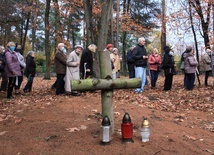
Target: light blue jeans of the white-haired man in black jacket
140, 72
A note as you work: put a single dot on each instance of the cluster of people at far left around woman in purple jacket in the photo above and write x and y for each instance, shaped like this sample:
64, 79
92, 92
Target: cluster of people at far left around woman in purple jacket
13, 68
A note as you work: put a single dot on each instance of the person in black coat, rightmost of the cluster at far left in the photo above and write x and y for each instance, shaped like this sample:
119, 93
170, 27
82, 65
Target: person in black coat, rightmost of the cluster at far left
30, 71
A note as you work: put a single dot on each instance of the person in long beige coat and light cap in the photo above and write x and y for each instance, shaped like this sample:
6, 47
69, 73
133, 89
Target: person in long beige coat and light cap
73, 70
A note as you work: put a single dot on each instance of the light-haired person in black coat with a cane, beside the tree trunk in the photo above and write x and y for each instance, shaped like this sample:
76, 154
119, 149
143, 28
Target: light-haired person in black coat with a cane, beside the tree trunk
86, 62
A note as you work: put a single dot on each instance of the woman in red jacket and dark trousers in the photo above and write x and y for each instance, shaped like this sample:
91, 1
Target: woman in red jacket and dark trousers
154, 61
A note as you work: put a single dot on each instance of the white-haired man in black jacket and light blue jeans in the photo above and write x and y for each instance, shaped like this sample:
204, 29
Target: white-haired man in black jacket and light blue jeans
140, 56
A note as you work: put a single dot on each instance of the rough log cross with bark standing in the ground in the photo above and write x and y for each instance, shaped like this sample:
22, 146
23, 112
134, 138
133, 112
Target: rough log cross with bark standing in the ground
106, 84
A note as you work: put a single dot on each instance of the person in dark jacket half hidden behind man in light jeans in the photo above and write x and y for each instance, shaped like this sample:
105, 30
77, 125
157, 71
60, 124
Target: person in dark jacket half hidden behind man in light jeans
131, 63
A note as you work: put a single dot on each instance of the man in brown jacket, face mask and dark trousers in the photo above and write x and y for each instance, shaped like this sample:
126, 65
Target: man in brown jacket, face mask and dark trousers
60, 68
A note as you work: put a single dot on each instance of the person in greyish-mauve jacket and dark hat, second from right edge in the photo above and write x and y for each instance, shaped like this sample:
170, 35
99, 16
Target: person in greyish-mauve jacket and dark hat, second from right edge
190, 68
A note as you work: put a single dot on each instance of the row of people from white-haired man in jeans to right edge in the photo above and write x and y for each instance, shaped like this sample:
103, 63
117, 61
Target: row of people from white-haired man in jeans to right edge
138, 61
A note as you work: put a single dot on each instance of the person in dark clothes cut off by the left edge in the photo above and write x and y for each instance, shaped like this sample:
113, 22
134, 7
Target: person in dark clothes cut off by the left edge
4, 81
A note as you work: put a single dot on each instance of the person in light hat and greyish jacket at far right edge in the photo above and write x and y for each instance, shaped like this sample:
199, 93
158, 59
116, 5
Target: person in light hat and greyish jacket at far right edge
206, 60
